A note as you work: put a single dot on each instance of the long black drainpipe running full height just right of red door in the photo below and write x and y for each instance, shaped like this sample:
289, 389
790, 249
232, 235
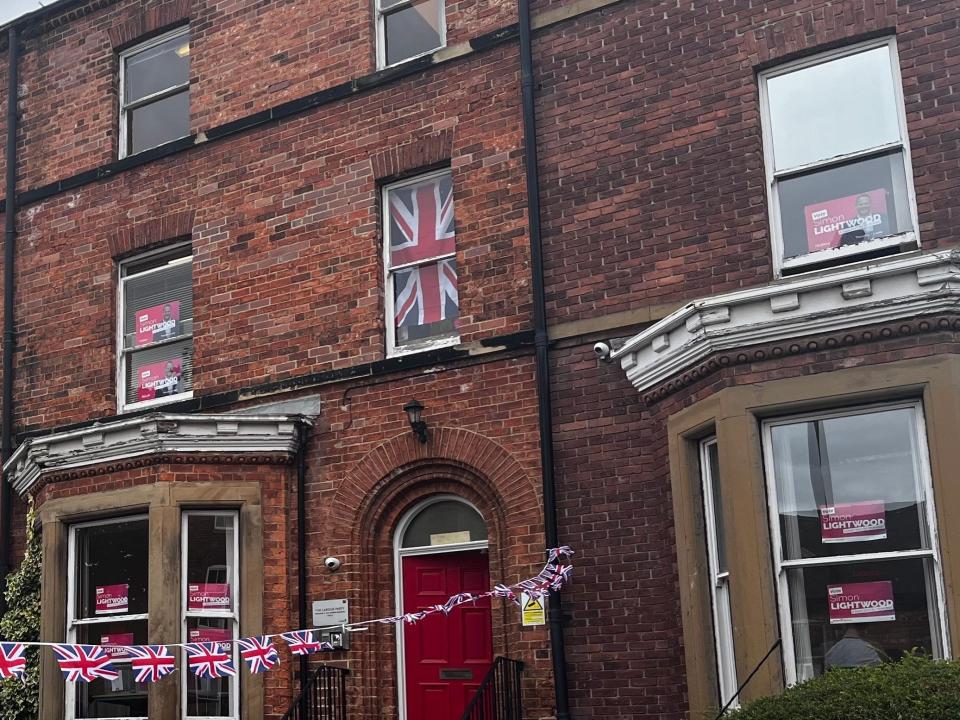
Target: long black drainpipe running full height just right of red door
555, 610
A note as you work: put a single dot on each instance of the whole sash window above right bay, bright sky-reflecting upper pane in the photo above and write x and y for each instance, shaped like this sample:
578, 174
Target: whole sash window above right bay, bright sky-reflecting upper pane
837, 158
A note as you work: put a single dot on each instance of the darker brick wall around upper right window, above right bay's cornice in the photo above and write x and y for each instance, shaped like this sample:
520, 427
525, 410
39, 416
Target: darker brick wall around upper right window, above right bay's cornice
650, 151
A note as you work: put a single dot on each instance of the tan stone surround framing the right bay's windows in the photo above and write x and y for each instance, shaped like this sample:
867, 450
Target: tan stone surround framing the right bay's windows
736, 417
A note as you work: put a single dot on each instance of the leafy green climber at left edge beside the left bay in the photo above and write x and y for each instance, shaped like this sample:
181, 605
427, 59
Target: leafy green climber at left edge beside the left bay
19, 701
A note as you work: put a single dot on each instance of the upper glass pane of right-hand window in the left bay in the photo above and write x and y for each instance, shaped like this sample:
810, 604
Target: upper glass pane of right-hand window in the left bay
210, 563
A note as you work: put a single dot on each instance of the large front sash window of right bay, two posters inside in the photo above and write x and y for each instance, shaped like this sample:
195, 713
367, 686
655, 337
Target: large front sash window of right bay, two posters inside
851, 513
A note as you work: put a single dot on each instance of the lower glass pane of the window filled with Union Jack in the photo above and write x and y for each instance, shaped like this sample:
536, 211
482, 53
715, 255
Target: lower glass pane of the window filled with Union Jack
426, 302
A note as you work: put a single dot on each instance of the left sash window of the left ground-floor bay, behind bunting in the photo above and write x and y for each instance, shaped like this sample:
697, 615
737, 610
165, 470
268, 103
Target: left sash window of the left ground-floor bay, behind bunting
107, 603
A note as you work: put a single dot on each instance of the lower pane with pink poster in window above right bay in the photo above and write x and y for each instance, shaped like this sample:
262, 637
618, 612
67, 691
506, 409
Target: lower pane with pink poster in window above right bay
844, 206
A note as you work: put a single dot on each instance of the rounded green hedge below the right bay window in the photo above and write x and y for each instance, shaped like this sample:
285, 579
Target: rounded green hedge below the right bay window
914, 688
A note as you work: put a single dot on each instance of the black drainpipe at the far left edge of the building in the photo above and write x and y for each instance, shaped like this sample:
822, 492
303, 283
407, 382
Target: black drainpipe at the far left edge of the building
10, 217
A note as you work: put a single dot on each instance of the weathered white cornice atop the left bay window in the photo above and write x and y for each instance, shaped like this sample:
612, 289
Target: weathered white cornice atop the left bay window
273, 437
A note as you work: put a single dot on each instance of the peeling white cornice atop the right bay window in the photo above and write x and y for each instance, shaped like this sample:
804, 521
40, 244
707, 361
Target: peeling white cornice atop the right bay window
833, 302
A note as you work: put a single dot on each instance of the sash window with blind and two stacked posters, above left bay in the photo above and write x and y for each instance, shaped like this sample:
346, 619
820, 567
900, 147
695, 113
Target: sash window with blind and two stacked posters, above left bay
156, 333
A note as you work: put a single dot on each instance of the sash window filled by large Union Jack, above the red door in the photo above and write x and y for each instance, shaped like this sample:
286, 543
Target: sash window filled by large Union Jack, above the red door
422, 262
